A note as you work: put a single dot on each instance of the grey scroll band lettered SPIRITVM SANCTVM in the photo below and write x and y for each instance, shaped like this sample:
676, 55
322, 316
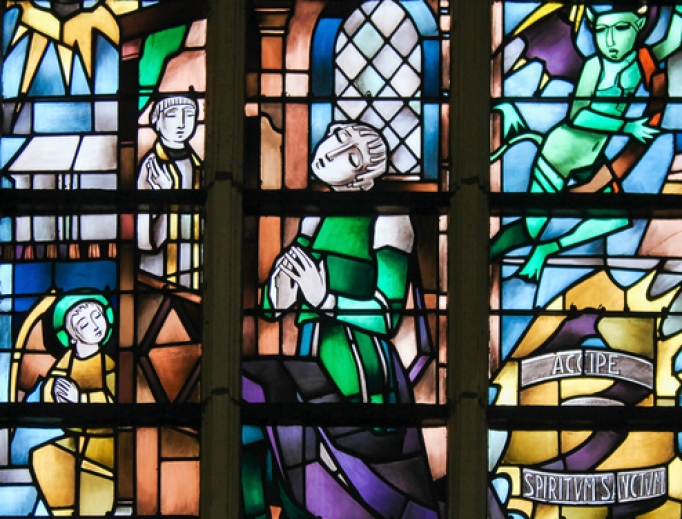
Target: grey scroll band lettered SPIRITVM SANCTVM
597, 488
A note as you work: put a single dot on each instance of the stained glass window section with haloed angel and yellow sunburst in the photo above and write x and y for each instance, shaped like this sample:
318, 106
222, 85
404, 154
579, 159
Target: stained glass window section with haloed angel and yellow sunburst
101, 256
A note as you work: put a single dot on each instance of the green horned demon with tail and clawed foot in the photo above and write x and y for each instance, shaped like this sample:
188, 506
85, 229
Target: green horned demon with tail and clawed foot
572, 155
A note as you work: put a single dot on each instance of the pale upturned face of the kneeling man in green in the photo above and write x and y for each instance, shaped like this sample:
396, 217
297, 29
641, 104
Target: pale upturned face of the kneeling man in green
340, 157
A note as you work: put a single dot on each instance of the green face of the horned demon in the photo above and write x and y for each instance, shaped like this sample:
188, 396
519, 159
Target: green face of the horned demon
616, 34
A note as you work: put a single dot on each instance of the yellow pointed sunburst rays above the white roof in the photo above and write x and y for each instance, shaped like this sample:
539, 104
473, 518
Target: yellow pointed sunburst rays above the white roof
75, 35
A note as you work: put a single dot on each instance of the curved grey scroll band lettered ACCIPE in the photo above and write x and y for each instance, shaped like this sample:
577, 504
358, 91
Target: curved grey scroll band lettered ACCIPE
587, 363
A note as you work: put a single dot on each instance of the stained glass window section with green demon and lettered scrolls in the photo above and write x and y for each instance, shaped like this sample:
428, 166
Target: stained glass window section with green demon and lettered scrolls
585, 264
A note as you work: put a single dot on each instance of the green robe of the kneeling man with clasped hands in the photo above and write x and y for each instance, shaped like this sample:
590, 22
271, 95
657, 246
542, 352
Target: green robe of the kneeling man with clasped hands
370, 287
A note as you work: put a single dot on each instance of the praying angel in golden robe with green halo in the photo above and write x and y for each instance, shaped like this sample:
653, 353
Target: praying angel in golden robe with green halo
84, 374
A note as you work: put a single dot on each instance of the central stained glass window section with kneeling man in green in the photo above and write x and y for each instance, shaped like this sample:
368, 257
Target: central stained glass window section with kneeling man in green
345, 260
